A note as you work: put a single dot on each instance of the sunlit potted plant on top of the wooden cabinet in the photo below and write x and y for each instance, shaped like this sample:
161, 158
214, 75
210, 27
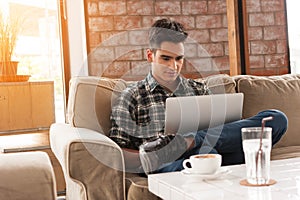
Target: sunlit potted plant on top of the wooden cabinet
10, 28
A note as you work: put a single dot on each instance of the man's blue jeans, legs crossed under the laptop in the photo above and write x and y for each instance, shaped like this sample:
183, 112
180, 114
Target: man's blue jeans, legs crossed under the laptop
227, 139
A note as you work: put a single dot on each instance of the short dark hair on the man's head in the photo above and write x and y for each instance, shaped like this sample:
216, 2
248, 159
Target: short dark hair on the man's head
166, 30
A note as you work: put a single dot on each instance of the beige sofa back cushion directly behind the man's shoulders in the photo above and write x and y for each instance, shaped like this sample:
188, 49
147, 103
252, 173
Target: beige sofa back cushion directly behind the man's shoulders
90, 99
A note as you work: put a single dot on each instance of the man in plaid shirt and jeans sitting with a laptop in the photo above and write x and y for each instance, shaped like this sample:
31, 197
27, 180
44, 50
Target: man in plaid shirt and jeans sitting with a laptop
138, 115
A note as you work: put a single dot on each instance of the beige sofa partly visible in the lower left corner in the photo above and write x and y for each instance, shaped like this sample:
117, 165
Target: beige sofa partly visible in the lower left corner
26, 176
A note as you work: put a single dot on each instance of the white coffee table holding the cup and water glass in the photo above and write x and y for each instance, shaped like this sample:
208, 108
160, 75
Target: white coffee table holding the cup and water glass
179, 186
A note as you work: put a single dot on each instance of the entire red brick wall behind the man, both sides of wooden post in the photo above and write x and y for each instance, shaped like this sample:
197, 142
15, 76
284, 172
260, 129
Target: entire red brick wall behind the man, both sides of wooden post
117, 35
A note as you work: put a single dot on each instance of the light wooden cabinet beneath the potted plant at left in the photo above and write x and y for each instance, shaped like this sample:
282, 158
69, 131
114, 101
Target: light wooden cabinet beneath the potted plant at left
26, 105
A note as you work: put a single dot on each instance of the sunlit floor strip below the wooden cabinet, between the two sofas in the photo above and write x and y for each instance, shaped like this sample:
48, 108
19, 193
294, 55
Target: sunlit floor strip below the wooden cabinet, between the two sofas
33, 141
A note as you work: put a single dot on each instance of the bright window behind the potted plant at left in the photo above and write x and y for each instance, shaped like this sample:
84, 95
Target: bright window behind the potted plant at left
38, 47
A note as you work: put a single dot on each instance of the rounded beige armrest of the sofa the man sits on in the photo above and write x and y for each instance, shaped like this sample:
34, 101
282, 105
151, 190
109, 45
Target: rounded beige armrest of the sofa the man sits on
90, 160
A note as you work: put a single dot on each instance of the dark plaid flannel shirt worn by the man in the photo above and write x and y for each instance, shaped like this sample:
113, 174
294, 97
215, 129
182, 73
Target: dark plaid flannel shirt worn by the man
139, 113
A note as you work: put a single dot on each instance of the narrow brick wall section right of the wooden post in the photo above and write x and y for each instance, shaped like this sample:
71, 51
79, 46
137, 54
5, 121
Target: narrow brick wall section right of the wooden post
267, 34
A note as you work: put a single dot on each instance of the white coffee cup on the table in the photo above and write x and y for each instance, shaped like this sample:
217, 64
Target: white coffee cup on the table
203, 163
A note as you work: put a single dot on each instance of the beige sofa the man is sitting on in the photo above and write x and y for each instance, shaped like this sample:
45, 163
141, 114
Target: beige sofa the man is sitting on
93, 164
